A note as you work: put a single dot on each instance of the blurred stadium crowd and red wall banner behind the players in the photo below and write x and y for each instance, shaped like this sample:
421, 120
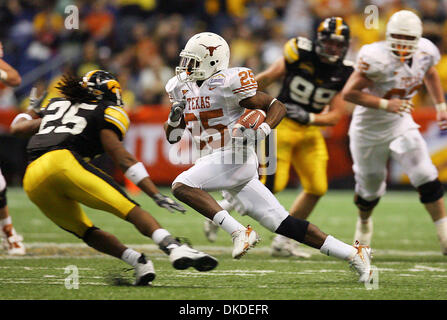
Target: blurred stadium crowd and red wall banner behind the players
139, 41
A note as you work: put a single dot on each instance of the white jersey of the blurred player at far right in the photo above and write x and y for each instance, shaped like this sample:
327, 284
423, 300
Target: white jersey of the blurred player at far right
392, 79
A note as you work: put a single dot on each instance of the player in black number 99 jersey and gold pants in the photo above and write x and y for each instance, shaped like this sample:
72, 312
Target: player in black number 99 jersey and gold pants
312, 73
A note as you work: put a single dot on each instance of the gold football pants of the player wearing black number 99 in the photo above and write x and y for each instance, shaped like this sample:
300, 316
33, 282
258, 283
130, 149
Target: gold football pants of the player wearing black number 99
304, 148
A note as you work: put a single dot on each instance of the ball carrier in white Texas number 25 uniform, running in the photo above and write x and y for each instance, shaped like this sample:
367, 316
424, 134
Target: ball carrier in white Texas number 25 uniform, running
208, 99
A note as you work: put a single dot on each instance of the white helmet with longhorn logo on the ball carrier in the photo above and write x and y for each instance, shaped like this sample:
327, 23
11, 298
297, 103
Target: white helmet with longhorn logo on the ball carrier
204, 54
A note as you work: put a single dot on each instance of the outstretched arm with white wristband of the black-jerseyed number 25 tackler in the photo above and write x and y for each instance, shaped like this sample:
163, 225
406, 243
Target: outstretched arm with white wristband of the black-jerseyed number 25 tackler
135, 170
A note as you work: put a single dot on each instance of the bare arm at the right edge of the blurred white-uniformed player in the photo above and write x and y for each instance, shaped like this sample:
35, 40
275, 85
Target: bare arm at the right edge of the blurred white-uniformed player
433, 84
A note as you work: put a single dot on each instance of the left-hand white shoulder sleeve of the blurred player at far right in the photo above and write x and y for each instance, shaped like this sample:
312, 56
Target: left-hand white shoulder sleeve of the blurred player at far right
372, 62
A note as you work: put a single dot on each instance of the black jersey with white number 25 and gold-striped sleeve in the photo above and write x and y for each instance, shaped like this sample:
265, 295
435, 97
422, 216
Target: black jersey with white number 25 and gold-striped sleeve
76, 127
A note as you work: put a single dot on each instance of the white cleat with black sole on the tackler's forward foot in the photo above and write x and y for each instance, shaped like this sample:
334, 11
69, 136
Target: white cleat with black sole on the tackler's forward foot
183, 257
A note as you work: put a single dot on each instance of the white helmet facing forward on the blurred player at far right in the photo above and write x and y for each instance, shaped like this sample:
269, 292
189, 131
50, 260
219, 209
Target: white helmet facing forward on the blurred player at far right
403, 23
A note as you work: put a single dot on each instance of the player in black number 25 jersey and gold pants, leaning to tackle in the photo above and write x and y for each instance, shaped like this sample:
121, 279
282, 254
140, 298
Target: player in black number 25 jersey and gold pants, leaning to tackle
87, 121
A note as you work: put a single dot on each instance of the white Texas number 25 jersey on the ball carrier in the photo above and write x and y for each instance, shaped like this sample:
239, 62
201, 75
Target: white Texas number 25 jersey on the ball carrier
213, 108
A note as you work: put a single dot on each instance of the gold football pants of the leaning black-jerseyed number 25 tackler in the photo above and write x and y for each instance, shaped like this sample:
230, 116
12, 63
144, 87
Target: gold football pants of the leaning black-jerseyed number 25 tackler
58, 181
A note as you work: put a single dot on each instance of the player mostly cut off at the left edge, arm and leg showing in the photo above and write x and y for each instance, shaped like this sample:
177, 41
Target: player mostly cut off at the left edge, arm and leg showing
11, 241
